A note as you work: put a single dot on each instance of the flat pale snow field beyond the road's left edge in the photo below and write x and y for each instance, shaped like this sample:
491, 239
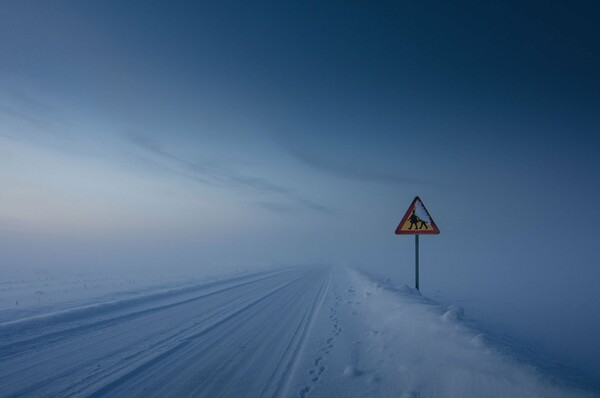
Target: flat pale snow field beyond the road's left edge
28, 292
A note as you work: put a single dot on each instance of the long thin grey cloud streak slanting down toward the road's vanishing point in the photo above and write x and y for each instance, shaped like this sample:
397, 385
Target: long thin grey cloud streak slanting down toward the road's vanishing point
214, 173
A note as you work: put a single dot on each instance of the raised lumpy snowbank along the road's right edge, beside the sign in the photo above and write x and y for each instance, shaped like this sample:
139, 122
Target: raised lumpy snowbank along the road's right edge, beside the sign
415, 347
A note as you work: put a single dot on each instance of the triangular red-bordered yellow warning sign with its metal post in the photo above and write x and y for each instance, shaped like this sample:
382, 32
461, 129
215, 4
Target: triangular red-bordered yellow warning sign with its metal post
417, 221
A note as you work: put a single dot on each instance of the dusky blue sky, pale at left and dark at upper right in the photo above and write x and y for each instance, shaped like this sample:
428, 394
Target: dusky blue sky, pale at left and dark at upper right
278, 133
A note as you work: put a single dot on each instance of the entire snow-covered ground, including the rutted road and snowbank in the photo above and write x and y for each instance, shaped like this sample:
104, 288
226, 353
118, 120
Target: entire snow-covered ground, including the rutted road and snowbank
304, 332
